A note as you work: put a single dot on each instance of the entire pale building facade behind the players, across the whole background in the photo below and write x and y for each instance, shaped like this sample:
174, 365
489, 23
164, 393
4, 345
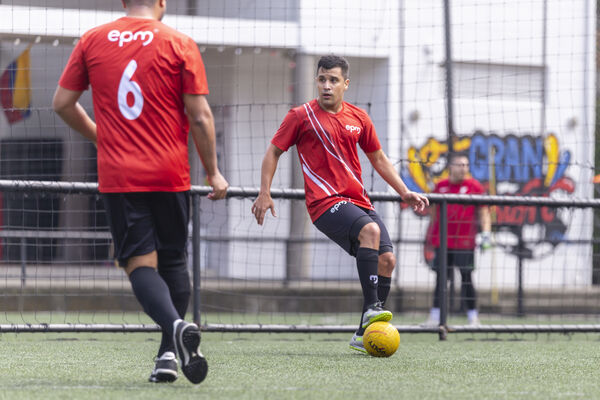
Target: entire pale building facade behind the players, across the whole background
396, 51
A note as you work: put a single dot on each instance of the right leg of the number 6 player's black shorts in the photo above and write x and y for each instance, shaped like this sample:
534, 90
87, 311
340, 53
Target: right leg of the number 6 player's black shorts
171, 212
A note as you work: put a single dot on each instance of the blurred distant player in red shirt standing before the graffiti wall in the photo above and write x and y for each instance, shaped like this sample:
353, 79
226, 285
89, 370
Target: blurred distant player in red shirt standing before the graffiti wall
462, 229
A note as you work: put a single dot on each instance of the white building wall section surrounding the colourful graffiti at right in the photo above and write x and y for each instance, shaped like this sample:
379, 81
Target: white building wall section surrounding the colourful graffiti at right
510, 34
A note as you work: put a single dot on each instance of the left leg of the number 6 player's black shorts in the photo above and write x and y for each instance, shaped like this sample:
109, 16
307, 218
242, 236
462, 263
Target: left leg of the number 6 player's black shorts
131, 224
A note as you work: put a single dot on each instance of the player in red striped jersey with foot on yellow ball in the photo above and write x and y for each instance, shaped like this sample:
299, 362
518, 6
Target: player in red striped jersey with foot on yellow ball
326, 132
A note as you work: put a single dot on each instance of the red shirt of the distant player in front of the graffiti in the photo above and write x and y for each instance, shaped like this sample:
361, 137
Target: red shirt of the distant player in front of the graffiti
462, 219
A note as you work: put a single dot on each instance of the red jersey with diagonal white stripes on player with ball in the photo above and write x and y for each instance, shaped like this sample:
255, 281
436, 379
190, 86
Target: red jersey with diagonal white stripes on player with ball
326, 145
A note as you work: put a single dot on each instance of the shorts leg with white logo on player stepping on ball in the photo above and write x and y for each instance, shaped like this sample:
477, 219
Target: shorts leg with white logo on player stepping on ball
342, 224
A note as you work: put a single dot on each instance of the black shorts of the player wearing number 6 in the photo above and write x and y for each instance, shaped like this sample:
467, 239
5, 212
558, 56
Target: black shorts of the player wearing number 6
142, 222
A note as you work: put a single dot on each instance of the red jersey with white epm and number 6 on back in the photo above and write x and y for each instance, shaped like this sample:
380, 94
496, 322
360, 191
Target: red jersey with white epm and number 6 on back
139, 70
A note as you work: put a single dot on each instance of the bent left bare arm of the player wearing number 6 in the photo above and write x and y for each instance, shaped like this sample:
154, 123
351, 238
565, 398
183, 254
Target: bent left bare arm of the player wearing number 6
65, 104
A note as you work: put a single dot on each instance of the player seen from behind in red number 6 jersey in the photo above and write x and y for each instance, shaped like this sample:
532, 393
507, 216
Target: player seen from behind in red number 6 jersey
148, 89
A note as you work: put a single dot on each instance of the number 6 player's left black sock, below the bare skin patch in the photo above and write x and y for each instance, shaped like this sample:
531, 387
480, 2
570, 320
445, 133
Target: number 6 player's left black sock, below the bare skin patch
153, 294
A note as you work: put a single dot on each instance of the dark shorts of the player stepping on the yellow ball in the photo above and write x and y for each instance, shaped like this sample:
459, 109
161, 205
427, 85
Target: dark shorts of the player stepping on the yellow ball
343, 222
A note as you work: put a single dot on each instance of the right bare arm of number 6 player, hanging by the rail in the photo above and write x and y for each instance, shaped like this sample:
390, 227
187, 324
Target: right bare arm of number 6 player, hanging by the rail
202, 128
